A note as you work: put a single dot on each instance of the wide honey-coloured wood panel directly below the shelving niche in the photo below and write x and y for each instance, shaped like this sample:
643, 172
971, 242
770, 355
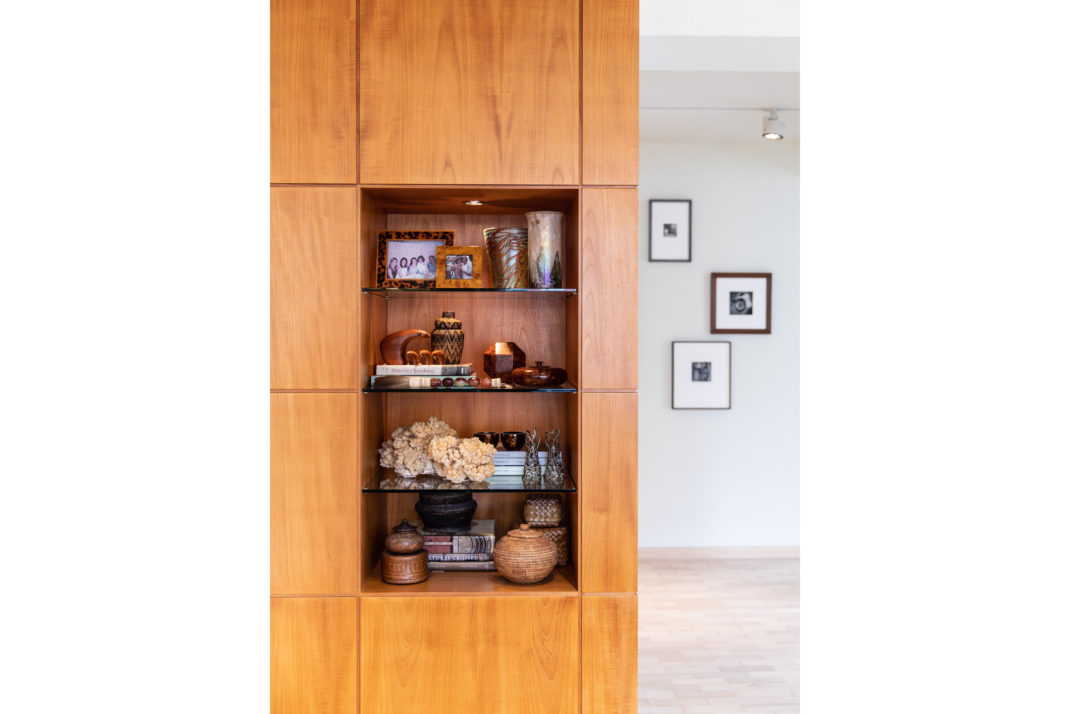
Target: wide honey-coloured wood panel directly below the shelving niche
477, 656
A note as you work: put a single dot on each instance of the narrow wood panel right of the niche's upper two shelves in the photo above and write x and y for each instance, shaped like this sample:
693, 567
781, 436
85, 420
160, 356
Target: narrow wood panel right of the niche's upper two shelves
610, 290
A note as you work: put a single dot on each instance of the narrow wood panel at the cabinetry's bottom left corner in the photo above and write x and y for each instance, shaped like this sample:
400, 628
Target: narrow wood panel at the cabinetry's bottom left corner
314, 648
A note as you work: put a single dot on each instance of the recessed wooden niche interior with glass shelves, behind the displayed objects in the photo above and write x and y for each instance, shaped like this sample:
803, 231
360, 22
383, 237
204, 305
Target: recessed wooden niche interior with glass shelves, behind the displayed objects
545, 326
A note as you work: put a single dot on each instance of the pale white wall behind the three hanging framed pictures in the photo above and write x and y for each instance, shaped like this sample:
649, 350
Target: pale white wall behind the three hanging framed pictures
722, 478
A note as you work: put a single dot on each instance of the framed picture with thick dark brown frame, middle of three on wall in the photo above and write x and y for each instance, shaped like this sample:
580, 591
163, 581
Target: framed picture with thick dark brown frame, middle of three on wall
741, 303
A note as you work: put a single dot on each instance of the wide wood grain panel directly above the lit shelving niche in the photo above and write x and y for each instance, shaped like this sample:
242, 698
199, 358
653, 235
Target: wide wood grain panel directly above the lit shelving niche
470, 92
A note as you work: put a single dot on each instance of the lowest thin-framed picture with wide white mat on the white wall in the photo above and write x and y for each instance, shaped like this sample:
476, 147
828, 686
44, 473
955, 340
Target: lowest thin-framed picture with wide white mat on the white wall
701, 375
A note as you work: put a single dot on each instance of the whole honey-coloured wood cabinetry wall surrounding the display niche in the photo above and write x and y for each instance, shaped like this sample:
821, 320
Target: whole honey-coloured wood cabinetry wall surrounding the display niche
370, 95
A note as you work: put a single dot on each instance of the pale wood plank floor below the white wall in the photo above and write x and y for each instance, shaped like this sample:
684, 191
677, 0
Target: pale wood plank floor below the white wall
717, 635
